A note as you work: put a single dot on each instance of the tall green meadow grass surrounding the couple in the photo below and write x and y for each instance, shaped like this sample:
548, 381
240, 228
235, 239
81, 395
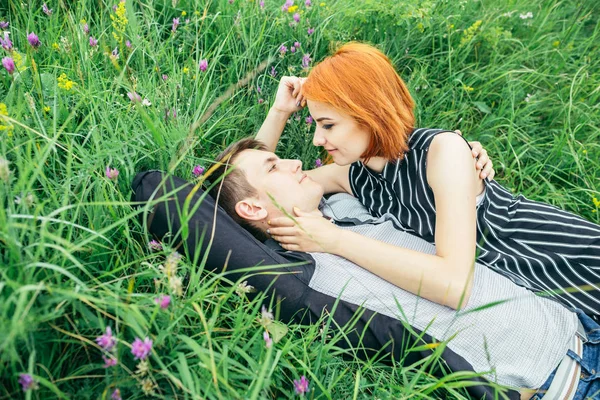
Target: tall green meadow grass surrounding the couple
73, 262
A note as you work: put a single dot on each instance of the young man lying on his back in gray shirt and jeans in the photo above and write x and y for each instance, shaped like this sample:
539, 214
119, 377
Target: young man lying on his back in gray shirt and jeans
526, 342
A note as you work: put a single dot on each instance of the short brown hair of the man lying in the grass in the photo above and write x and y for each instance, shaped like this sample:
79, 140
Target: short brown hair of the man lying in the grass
231, 183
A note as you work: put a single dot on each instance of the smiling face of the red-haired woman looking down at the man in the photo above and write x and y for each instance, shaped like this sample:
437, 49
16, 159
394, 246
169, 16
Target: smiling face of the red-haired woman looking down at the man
341, 136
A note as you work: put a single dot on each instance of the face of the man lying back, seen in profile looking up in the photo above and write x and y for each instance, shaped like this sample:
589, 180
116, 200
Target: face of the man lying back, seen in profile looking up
284, 180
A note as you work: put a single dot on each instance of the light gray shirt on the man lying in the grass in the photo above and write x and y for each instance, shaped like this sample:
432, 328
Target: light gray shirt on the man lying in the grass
515, 343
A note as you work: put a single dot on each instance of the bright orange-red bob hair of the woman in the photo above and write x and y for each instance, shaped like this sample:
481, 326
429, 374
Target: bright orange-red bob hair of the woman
359, 80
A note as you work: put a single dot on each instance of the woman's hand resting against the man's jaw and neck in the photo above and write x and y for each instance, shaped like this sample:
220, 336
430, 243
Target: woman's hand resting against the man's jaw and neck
306, 232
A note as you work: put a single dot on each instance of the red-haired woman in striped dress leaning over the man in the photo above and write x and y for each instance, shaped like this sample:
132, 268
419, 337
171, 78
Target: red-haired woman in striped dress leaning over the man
425, 178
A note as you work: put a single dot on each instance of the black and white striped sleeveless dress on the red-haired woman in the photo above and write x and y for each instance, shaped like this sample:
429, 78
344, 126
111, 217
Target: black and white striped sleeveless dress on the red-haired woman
536, 245
